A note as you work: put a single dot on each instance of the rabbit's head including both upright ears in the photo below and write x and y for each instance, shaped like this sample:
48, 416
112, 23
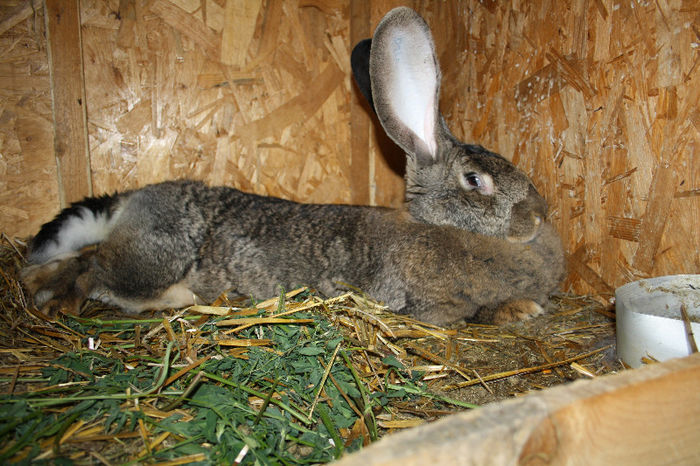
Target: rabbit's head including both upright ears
447, 182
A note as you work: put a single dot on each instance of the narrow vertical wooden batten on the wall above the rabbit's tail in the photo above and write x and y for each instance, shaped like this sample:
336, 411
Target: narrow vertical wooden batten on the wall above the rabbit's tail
68, 90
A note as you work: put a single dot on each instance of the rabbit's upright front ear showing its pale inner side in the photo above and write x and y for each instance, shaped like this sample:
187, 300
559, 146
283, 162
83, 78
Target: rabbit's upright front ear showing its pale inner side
406, 83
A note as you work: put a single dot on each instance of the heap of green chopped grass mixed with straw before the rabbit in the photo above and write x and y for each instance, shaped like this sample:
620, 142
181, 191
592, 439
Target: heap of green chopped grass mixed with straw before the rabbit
297, 399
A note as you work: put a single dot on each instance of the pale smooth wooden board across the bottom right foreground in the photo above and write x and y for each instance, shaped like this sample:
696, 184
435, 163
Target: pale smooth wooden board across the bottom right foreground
644, 416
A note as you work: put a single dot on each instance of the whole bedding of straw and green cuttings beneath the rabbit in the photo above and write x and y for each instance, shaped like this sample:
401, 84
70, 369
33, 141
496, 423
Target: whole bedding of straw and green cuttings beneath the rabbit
377, 372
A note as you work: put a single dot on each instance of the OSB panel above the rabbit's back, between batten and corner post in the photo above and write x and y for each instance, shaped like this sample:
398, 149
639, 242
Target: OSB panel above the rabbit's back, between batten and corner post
250, 94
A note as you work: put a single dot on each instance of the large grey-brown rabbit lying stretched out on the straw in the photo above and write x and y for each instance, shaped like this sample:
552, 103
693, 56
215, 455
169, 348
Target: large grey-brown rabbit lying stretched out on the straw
470, 242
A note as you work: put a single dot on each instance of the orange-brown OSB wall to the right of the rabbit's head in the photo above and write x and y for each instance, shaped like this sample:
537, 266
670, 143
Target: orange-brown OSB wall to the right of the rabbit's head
599, 102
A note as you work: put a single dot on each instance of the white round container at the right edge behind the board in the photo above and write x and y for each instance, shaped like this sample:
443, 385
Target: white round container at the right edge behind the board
649, 322
